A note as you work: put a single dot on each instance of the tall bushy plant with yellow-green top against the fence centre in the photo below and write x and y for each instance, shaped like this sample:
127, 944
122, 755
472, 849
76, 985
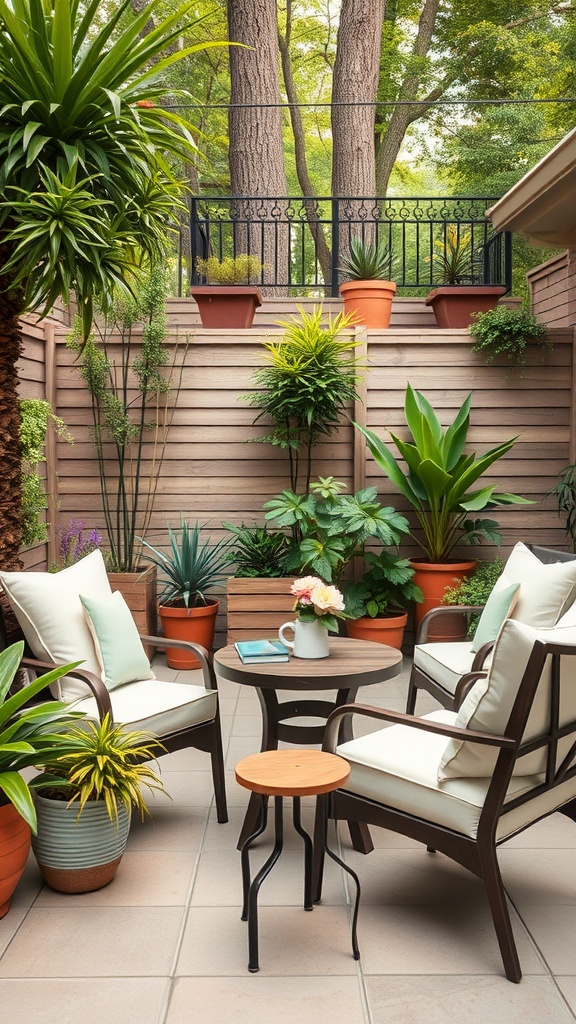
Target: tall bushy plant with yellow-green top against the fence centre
310, 380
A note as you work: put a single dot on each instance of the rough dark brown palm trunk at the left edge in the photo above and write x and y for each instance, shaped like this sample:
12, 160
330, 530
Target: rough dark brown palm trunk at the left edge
11, 498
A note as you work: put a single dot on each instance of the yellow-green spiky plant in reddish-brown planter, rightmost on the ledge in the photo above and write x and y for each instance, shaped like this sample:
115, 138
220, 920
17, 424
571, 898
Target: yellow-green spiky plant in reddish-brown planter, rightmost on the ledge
460, 292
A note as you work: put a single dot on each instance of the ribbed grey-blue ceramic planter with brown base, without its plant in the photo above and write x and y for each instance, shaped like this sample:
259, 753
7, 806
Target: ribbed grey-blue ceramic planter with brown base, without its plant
78, 855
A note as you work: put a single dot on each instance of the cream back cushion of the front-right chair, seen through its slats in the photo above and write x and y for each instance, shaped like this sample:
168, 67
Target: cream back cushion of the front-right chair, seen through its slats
487, 708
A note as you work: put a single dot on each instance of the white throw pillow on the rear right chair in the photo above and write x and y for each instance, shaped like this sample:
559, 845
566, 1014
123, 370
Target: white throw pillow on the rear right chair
547, 591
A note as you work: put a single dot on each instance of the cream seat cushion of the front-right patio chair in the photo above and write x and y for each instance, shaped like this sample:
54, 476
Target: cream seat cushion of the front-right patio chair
398, 767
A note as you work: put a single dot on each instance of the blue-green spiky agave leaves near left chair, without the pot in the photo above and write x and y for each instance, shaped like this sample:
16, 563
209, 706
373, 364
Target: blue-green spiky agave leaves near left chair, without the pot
194, 567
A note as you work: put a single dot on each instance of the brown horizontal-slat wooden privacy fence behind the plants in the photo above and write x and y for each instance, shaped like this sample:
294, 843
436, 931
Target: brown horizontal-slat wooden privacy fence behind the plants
216, 473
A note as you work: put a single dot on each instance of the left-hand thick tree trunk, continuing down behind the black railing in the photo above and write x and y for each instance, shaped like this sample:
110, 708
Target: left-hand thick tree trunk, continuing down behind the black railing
257, 149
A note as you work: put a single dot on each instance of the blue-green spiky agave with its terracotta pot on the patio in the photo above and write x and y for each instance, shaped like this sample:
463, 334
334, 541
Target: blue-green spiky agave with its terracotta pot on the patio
193, 568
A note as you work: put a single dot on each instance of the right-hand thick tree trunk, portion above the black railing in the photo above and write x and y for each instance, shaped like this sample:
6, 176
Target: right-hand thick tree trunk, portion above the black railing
356, 80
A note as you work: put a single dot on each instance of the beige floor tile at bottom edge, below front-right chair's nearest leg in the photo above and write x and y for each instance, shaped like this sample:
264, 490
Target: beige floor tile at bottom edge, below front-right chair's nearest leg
476, 1001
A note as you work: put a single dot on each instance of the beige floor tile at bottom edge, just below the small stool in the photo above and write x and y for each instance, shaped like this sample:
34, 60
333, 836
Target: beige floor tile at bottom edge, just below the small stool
259, 1000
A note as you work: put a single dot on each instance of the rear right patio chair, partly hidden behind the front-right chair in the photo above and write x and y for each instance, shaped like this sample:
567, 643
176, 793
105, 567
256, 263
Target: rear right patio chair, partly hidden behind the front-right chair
546, 593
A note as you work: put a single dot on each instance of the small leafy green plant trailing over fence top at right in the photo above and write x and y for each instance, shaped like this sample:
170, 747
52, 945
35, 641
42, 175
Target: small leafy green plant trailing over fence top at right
505, 332
